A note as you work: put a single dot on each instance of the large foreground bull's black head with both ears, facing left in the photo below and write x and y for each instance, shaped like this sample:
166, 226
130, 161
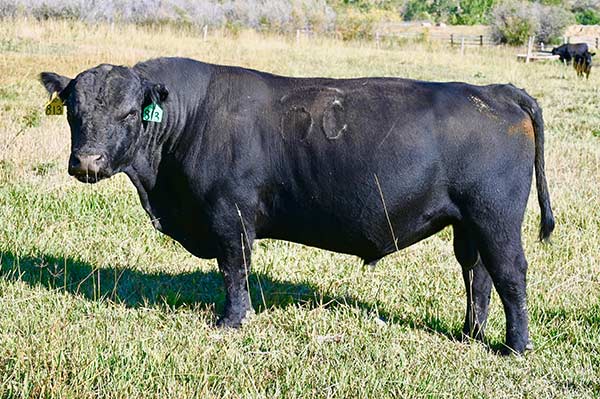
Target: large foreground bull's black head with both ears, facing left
104, 110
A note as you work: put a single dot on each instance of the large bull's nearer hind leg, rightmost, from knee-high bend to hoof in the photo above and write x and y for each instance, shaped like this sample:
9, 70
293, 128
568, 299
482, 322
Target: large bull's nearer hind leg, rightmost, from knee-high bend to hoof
504, 259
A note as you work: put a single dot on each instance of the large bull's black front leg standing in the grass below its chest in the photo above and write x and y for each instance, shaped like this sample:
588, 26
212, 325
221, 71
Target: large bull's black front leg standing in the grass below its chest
234, 264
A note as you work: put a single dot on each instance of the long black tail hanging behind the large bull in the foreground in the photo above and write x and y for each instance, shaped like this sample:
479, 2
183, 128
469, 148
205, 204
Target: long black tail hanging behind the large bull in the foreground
530, 106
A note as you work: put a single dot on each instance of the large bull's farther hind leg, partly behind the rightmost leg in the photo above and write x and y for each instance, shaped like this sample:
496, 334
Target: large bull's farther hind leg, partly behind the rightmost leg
478, 283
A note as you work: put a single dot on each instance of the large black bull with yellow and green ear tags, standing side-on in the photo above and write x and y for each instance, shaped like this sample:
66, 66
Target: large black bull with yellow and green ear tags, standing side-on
359, 166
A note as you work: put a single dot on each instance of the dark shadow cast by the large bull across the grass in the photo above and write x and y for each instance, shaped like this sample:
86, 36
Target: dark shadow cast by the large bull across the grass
205, 289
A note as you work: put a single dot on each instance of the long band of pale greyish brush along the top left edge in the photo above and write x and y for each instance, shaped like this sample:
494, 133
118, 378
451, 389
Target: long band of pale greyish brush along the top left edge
279, 15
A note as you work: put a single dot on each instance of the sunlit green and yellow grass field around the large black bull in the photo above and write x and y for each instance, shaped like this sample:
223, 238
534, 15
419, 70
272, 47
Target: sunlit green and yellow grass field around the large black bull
95, 303
